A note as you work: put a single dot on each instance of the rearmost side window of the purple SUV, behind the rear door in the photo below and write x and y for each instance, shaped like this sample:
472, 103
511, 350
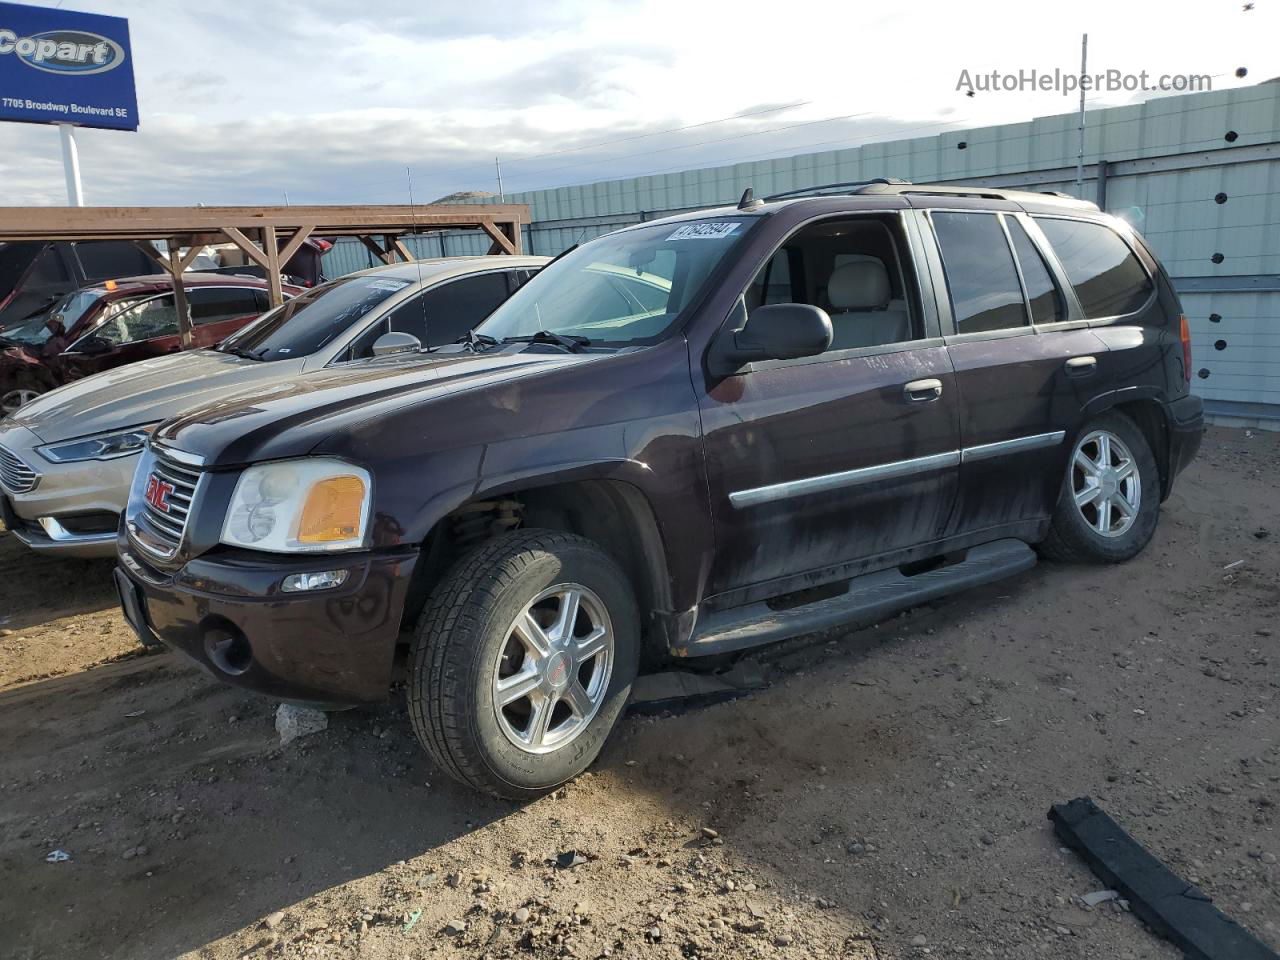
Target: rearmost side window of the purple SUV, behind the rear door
1108, 278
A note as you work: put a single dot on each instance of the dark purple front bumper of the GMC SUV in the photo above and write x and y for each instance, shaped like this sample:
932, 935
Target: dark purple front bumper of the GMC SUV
228, 614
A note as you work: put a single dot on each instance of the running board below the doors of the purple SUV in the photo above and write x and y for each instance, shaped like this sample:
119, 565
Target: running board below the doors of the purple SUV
868, 598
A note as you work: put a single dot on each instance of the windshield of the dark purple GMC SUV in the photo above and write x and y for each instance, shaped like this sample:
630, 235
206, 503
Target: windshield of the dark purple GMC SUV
623, 290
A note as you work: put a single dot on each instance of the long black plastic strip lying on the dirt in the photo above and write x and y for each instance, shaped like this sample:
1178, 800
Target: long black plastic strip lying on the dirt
1178, 911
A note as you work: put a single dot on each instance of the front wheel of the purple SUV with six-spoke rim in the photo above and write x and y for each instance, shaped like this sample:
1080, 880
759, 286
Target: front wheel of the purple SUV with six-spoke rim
524, 661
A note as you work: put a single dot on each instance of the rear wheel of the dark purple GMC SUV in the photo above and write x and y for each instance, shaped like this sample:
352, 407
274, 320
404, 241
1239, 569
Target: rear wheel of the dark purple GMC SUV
1110, 500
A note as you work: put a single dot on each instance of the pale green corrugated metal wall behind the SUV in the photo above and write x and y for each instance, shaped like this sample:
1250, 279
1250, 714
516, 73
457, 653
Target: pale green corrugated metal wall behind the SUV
1164, 164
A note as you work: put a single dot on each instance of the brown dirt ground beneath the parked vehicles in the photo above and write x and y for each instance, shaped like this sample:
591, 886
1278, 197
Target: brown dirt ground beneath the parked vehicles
885, 797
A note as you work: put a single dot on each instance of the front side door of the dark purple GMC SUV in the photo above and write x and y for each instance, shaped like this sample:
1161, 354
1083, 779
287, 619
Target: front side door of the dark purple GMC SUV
852, 455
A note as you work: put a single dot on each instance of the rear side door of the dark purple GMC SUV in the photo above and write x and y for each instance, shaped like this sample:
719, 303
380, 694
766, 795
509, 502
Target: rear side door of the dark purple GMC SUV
1026, 365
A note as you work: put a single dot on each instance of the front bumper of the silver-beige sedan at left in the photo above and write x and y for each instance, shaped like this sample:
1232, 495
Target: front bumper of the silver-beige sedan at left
75, 509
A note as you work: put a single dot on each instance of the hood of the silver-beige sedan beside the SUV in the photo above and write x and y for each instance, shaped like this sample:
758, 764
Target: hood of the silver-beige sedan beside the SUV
144, 394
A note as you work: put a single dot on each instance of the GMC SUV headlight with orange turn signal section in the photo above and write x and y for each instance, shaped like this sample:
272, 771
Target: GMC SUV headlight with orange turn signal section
300, 506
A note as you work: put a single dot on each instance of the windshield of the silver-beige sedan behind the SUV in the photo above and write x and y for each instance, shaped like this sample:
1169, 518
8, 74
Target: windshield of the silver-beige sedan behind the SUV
313, 319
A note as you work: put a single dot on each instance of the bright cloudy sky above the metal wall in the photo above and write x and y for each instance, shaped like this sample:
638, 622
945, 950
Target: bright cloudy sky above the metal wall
331, 100
